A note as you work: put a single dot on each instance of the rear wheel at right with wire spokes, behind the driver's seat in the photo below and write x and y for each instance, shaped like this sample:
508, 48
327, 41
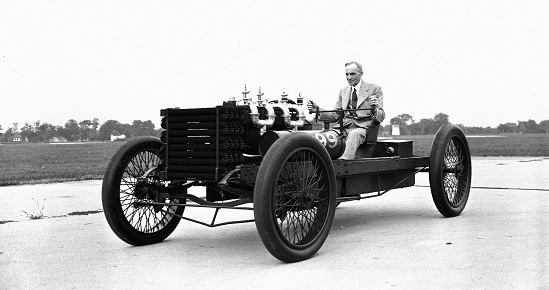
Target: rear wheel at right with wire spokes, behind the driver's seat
450, 170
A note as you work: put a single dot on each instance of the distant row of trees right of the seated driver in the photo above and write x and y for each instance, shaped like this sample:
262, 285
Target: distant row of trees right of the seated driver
408, 126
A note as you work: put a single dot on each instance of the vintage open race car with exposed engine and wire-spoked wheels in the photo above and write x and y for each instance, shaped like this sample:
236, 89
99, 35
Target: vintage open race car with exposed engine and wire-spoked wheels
268, 155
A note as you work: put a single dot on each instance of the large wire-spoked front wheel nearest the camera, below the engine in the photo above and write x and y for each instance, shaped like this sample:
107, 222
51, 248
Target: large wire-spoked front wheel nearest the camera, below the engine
295, 197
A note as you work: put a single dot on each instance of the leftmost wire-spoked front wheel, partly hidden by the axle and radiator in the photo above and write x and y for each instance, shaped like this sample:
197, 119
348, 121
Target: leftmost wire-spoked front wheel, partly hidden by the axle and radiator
136, 225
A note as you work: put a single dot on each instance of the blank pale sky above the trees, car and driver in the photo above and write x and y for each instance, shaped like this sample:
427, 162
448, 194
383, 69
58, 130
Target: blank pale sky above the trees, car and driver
483, 63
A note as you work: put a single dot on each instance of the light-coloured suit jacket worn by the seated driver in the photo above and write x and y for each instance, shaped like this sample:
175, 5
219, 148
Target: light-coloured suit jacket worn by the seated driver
364, 118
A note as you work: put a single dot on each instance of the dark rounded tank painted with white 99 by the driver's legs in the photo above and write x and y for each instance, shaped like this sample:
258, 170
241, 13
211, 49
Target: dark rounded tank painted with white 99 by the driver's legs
330, 139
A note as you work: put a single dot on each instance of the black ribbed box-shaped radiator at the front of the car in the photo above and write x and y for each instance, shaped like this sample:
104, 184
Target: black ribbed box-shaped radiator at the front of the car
203, 144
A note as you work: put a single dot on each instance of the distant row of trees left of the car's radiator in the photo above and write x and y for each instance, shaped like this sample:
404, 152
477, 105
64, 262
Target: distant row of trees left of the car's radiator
86, 130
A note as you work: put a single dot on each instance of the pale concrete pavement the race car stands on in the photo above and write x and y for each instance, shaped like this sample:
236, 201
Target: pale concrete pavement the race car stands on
398, 240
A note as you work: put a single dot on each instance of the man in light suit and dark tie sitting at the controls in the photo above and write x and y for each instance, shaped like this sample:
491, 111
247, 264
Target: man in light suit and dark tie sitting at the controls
358, 95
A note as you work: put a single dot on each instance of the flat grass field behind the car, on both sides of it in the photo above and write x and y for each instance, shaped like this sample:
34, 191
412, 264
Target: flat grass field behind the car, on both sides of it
42, 163
